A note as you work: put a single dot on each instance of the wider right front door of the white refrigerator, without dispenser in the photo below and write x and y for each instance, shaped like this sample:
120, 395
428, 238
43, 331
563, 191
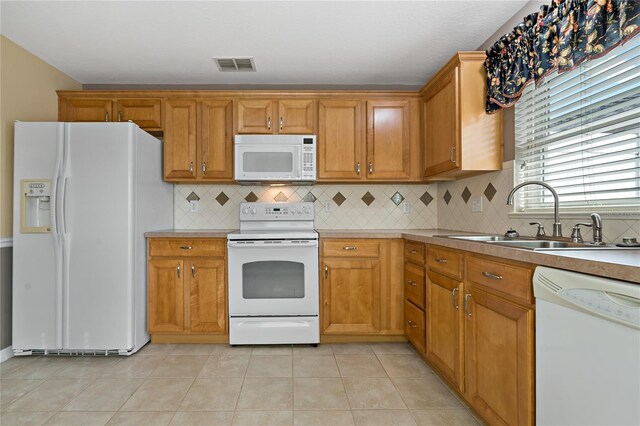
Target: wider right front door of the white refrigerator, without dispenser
98, 220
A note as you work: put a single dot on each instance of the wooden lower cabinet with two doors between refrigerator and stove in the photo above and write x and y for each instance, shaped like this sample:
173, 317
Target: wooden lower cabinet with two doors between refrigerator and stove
187, 292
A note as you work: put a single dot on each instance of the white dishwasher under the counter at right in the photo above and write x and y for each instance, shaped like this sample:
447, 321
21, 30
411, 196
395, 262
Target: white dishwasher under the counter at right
587, 349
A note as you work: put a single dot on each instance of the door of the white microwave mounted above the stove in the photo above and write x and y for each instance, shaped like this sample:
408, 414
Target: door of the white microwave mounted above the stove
256, 162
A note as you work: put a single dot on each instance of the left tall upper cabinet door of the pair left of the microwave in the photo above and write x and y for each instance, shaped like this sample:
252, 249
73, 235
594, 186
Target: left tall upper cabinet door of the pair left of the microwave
180, 139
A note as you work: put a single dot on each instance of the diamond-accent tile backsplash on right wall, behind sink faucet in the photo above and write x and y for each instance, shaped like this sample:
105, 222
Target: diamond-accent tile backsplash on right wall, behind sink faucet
454, 210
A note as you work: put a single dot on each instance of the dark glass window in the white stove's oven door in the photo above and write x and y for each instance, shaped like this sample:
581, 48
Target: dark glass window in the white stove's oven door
273, 279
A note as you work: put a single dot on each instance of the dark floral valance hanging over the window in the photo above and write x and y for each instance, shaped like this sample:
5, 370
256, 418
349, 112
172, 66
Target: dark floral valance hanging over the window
560, 36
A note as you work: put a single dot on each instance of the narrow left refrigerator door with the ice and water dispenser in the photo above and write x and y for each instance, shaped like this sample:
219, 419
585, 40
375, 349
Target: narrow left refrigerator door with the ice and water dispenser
37, 257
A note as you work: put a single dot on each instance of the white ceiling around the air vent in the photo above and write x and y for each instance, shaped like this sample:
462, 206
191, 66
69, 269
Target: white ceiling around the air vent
293, 42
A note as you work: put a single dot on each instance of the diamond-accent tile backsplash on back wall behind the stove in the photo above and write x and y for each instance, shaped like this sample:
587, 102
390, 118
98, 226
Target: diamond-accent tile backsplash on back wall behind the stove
349, 206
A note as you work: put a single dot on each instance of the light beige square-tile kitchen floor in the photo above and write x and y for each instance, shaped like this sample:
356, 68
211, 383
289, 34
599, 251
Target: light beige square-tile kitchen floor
340, 384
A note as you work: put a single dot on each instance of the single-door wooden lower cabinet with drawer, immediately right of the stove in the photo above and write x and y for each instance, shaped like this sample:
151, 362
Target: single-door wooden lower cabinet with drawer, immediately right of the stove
361, 287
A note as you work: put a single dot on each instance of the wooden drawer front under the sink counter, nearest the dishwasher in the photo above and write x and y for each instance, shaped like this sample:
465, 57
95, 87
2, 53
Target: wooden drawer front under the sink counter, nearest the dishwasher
511, 280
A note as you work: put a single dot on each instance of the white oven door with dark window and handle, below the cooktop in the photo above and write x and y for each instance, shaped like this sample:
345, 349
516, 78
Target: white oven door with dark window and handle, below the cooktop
273, 277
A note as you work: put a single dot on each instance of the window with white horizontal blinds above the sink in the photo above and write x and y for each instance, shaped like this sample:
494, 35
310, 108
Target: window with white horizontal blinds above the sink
579, 132
